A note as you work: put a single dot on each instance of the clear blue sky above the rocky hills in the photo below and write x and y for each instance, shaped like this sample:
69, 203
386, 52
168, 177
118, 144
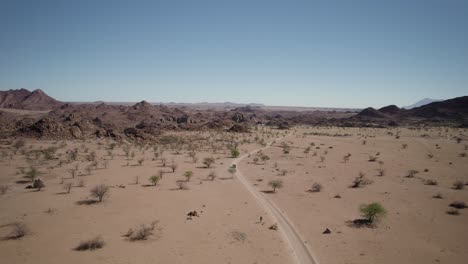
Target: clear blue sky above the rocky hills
303, 53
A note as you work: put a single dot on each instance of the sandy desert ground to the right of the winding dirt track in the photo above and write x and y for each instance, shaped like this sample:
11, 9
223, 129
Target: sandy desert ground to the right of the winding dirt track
416, 229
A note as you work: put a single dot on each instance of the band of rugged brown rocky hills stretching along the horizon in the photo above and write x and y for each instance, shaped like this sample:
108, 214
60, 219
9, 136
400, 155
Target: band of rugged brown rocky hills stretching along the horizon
146, 121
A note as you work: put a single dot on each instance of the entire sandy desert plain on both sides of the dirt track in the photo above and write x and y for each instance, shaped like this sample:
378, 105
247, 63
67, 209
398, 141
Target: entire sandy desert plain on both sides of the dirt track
416, 228
